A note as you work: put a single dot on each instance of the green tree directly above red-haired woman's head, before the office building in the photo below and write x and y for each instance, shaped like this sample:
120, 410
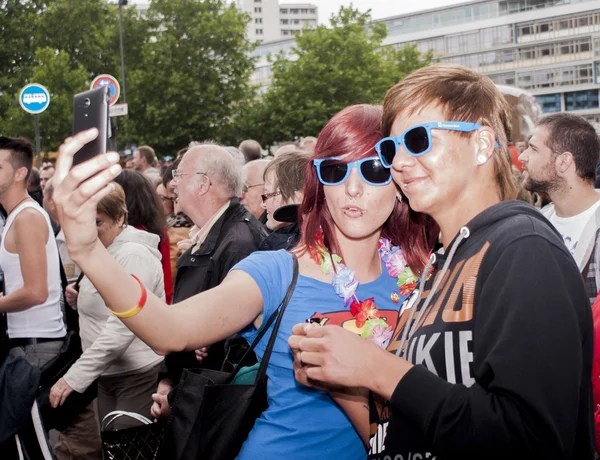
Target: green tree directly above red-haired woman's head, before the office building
333, 67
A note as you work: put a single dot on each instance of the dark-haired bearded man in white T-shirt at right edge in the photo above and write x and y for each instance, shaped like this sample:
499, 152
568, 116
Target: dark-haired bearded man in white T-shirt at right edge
561, 161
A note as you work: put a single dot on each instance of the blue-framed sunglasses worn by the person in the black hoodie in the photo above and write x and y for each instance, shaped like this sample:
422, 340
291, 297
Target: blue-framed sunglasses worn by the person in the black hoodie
417, 140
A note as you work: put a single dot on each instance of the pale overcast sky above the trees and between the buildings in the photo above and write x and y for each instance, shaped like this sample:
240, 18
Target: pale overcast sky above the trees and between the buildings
379, 8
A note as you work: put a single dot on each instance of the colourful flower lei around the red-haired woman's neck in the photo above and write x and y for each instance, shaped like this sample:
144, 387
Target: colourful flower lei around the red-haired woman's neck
365, 312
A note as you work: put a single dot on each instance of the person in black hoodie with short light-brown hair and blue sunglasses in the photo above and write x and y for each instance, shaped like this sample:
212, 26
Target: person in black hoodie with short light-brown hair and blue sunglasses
491, 357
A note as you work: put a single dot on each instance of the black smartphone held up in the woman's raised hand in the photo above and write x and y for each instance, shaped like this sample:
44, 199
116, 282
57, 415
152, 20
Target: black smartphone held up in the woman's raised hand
90, 110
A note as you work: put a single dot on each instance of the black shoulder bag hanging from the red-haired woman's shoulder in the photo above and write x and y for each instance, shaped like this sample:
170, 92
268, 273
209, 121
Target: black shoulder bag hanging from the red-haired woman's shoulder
211, 416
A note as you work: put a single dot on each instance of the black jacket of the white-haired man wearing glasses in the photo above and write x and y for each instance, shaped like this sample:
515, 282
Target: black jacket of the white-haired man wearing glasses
233, 237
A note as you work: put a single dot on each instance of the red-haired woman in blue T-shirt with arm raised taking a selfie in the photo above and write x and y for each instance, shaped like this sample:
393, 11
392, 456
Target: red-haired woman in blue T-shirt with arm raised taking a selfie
359, 254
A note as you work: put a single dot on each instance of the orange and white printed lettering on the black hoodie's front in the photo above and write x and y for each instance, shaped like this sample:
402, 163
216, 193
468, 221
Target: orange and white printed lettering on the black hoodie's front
439, 338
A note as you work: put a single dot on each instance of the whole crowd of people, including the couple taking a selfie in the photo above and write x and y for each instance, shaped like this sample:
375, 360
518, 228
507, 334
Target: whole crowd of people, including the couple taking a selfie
446, 300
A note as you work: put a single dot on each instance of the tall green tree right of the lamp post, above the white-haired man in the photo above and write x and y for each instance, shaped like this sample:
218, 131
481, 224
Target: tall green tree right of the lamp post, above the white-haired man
193, 76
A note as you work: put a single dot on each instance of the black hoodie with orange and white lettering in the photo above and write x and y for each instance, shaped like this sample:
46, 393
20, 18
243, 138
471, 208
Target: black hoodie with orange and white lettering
502, 346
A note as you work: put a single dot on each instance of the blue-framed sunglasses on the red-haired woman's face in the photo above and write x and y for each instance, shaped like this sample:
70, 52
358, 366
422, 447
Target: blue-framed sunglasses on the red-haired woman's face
333, 171
